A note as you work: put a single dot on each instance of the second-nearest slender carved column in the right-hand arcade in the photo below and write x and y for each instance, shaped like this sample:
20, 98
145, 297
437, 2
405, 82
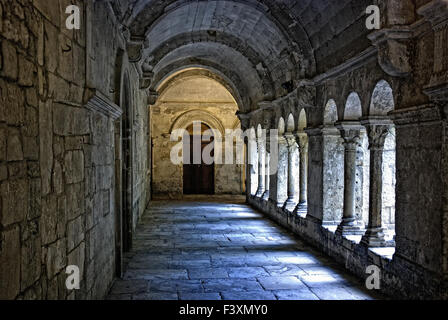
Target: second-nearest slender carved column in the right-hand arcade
351, 132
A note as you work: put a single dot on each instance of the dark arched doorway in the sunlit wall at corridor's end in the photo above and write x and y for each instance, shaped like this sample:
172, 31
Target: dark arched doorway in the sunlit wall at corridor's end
198, 178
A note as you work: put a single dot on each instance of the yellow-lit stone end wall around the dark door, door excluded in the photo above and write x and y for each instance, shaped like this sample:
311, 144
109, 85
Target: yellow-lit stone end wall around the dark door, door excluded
195, 98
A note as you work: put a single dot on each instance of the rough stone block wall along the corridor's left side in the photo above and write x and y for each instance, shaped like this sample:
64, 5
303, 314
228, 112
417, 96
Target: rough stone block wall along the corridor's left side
56, 156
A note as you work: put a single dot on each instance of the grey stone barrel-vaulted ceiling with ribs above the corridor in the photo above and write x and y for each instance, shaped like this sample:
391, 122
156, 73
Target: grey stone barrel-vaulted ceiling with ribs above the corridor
260, 47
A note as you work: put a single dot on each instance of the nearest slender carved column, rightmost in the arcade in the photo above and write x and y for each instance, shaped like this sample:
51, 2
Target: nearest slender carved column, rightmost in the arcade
377, 133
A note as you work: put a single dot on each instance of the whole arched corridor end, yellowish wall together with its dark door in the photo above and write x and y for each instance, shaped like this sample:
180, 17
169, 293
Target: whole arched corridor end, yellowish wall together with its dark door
189, 95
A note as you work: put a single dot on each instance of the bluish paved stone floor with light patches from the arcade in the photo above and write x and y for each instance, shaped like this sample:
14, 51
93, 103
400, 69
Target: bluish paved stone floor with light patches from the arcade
219, 250
